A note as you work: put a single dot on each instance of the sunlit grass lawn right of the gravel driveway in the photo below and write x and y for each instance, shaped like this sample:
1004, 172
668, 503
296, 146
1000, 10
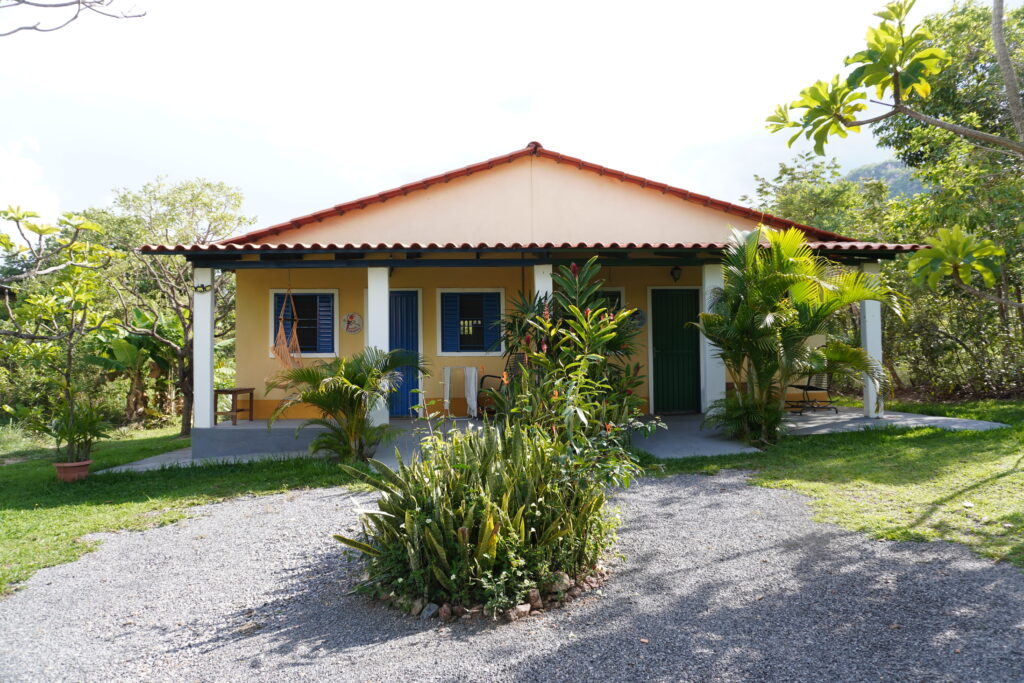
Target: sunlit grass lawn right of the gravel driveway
920, 485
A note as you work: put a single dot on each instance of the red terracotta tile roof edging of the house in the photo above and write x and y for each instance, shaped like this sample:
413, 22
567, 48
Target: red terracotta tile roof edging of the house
827, 240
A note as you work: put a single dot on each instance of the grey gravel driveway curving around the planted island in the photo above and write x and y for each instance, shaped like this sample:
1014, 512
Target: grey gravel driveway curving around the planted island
724, 581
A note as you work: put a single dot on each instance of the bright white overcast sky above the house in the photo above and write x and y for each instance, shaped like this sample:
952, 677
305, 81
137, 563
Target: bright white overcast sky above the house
307, 105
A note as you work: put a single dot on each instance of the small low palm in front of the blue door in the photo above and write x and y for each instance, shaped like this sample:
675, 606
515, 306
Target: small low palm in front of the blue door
345, 391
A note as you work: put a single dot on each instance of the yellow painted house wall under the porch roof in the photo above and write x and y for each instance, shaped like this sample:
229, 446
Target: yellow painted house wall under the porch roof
255, 365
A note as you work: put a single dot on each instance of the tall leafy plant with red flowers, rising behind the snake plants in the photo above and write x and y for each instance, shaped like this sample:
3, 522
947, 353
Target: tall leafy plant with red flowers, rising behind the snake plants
572, 371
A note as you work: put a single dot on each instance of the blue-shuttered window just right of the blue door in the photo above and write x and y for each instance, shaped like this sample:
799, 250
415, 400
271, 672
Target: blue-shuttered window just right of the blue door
472, 322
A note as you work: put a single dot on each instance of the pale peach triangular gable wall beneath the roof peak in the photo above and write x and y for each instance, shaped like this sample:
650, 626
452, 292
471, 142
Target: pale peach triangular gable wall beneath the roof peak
532, 199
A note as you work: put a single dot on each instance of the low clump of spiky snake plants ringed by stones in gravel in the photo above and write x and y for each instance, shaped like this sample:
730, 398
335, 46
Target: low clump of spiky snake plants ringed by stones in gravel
483, 517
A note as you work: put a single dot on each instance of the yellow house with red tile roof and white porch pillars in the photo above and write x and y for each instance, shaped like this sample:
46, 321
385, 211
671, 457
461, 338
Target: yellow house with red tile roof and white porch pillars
431, 266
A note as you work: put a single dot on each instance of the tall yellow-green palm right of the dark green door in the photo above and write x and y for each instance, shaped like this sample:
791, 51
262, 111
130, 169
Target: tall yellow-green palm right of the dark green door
777, 295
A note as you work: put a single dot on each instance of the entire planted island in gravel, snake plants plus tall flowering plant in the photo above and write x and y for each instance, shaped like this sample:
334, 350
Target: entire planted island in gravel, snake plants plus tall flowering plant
484, 517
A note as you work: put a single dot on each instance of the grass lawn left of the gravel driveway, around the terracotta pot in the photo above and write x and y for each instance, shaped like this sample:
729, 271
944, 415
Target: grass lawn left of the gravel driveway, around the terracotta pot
42, 522
